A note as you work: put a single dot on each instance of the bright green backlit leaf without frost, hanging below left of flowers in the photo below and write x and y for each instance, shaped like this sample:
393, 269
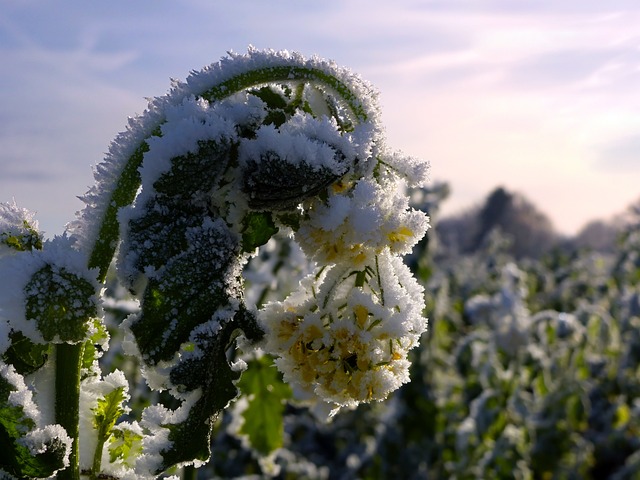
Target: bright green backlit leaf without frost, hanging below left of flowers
267, 394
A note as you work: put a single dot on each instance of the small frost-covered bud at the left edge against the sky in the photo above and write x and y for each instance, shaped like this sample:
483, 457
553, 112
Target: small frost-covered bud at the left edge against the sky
18, 230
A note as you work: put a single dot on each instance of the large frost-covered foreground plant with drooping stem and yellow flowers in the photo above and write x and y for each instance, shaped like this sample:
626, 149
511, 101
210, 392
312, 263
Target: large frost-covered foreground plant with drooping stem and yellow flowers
249, 146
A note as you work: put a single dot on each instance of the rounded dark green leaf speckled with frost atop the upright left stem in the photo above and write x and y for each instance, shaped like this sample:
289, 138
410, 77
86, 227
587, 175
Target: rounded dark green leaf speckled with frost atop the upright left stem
61, 303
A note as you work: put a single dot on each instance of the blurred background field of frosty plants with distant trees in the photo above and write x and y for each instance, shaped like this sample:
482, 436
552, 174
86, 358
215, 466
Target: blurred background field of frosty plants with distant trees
530, 368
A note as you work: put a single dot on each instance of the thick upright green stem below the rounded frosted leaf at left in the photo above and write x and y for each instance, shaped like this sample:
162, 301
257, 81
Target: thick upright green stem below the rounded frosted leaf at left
68, 365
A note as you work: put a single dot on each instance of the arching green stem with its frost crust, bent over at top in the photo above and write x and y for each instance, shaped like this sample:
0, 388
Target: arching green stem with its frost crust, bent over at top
355, 102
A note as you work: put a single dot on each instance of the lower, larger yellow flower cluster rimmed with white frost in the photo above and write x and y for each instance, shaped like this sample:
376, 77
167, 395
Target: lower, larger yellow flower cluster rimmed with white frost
344, 337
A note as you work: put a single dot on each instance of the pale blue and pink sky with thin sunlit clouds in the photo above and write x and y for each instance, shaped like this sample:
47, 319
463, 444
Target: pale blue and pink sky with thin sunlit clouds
539, 96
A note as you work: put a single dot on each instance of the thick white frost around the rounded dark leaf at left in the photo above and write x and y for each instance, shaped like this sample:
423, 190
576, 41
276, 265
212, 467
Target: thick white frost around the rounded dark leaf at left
60, 254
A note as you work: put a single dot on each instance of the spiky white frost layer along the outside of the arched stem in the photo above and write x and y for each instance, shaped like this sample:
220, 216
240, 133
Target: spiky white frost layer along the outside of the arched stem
363, 110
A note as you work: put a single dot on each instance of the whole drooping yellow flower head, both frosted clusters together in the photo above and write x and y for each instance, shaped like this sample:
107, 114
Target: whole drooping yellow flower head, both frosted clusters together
344, 336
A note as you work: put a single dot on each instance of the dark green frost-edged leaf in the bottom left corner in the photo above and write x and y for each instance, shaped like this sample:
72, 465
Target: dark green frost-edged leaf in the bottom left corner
15, 457
